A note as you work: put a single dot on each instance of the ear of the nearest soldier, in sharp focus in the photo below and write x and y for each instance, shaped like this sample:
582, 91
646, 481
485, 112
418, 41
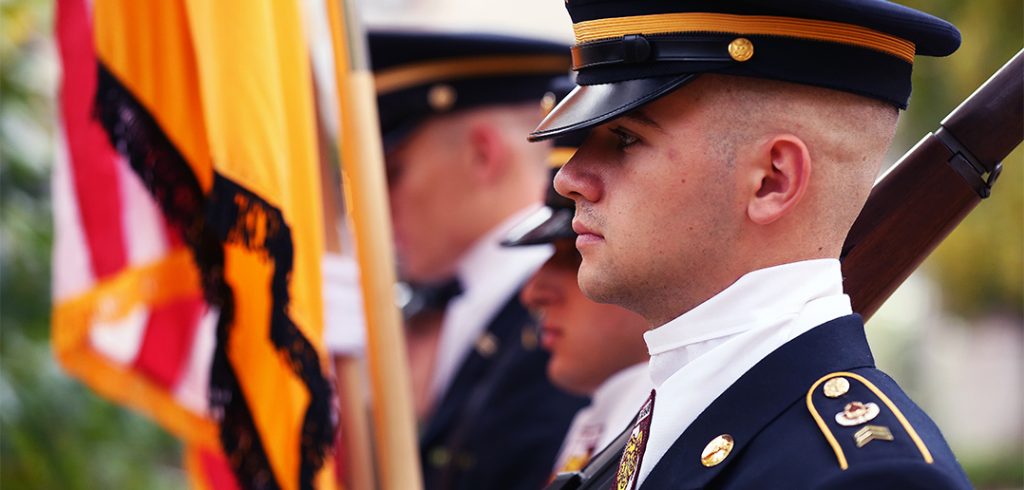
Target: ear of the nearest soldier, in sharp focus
781, 175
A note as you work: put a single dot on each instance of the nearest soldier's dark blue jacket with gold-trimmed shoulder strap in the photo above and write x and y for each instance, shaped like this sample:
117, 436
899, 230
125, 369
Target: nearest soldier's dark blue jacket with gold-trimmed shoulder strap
786, 431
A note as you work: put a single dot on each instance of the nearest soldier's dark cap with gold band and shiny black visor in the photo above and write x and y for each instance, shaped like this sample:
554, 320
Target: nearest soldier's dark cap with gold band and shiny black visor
629, 54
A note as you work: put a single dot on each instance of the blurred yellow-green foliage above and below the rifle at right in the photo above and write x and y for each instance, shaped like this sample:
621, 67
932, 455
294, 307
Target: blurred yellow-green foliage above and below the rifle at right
980, 268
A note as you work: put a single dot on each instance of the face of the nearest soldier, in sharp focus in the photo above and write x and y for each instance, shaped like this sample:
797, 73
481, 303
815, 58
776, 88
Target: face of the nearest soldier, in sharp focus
656, 206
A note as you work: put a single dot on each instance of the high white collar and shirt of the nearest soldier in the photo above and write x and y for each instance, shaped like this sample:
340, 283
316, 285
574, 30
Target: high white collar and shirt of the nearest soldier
697, 357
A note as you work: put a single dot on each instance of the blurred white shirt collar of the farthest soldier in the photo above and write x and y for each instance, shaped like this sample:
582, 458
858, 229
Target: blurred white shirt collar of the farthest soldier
490, 275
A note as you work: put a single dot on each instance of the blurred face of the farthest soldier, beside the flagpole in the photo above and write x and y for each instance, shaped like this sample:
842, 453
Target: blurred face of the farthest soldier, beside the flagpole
428, 190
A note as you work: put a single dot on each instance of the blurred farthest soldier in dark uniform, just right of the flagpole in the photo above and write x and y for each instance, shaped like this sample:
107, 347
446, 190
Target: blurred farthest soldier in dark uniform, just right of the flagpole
454, 110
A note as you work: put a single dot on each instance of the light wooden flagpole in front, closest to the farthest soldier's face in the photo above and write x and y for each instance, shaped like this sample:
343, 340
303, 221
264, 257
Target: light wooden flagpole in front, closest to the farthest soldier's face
363, 175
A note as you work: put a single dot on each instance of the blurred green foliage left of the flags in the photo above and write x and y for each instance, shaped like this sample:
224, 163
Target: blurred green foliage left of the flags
55, 433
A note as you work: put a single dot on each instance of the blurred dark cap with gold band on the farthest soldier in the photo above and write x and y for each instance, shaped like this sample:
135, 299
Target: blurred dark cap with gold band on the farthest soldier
422, 74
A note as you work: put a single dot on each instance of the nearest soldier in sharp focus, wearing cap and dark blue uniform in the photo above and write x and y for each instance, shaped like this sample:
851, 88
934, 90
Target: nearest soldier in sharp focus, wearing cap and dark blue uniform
733, 145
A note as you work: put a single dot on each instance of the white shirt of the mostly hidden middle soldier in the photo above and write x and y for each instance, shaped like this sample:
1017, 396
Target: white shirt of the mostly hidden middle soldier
611, 412
